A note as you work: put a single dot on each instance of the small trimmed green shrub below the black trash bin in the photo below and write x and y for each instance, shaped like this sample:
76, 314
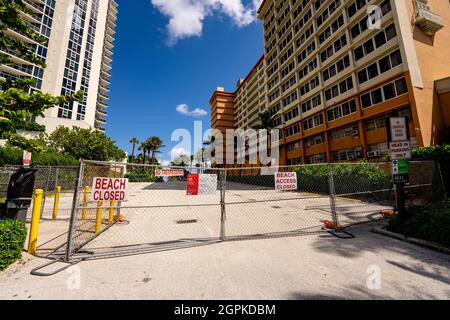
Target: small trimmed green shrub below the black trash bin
12, 239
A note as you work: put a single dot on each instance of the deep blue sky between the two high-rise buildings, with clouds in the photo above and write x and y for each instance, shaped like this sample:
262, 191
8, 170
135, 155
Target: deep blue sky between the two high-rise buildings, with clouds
158, 67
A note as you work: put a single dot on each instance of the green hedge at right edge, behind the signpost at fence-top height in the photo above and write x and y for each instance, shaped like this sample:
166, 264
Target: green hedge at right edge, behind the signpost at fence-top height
440, 154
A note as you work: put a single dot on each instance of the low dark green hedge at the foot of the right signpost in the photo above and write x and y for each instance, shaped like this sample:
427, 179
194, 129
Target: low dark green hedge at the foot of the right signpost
429, 222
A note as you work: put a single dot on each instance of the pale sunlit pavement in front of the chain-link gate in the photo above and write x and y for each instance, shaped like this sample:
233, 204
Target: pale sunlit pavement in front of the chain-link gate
307, 267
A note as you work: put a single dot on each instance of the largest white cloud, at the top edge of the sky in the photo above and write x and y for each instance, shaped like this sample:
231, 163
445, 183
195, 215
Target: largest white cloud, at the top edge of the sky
186, 16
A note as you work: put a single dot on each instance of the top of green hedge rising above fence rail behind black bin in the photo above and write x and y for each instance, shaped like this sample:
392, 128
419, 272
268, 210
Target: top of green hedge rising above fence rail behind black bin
13, 156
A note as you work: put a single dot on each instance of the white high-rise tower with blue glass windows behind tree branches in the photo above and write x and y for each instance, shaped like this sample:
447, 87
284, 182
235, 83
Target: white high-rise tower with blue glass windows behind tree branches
78, 55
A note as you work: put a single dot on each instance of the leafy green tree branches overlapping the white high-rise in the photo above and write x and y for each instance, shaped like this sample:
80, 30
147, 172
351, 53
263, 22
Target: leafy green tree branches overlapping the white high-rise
17, 104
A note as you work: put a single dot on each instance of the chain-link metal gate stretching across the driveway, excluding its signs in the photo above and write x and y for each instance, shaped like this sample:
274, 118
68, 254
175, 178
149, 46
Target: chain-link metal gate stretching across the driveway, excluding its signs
159, 215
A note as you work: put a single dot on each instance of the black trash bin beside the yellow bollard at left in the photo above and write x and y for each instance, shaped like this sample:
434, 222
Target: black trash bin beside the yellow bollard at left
19, 195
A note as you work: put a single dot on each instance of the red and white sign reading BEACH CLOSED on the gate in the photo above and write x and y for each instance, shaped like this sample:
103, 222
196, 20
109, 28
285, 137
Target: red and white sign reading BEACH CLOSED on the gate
109, 189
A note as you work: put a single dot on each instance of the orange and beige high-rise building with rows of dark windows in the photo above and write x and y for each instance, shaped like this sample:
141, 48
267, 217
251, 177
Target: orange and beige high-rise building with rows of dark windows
335, 70
